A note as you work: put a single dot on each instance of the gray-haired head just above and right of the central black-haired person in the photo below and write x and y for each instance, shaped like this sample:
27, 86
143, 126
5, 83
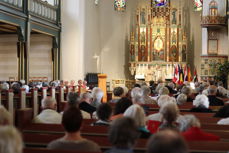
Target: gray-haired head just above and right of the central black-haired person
137, 95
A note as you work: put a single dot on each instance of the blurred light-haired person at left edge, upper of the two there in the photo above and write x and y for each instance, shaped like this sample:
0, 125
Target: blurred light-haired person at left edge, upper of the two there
5, 117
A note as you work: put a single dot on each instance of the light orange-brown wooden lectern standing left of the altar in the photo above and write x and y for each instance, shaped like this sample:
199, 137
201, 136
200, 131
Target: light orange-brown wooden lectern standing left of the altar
102, 79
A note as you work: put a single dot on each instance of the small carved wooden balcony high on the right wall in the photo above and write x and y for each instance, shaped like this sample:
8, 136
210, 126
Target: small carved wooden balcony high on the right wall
213, 21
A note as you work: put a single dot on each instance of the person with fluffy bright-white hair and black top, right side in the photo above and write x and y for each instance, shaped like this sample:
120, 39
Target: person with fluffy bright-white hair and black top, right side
201, 104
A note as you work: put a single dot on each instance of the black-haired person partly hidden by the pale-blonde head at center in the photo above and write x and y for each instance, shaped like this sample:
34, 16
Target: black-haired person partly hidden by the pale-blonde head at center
120, 108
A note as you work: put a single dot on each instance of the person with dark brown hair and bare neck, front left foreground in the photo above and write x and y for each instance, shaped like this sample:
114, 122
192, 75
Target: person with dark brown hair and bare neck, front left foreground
72, 140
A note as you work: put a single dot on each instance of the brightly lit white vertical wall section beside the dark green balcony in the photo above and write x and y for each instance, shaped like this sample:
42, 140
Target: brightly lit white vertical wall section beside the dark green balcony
72, 39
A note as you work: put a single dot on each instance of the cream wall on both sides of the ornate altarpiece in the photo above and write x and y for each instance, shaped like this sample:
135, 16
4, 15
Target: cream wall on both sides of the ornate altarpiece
90, 29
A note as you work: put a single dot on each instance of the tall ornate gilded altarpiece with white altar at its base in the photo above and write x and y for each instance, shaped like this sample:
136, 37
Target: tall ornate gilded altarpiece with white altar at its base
157, 42
